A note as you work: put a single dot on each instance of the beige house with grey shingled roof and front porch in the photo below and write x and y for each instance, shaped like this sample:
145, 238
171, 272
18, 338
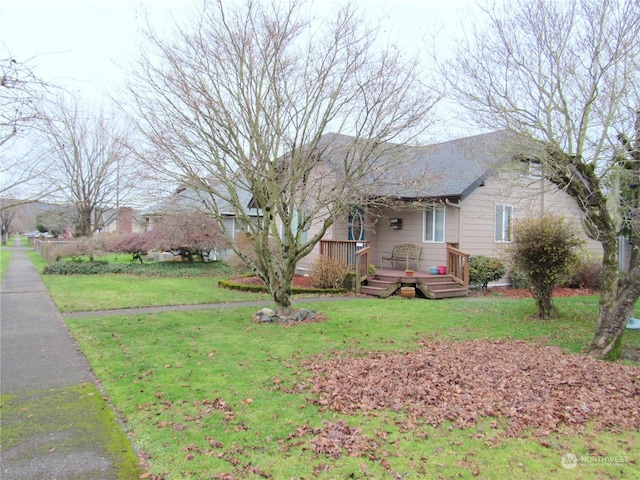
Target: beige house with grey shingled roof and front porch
472, 192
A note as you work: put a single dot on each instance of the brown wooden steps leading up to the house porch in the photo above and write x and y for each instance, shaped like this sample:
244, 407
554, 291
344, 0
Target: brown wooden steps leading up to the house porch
387, 282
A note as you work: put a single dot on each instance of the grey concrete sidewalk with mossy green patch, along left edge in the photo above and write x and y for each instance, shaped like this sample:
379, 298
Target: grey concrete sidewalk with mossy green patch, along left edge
55, 424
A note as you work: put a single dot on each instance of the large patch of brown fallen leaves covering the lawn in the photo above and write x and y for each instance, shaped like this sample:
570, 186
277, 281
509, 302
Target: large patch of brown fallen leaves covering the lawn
532, 386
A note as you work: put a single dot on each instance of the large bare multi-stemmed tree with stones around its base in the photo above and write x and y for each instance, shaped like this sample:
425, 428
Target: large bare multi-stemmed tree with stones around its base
242, 100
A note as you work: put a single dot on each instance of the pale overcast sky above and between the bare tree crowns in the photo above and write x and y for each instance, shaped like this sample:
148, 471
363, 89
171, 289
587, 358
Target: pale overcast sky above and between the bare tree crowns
77, 43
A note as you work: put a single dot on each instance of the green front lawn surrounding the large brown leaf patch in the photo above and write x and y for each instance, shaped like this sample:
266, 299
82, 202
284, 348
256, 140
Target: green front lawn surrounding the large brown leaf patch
201, 392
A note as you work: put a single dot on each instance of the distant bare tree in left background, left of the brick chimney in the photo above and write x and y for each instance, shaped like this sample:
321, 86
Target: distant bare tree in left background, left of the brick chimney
91, 163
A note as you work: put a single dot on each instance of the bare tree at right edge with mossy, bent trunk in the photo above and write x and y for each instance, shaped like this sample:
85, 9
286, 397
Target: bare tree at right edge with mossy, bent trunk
565, 75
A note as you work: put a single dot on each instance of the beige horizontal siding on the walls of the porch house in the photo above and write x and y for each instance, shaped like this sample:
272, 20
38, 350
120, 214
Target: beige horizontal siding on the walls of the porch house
469, 224
